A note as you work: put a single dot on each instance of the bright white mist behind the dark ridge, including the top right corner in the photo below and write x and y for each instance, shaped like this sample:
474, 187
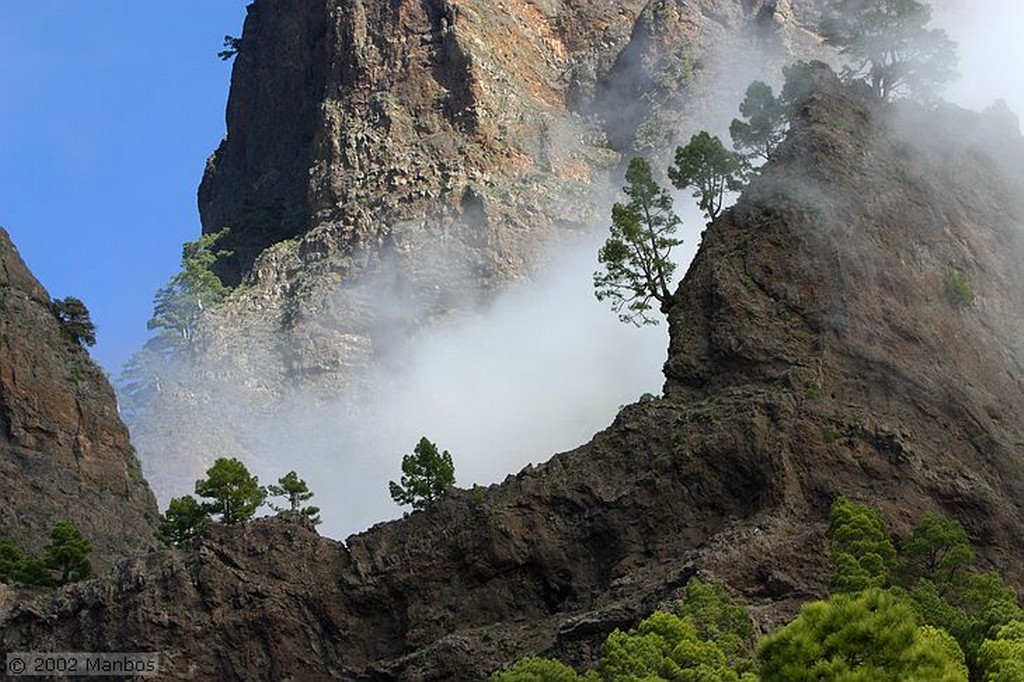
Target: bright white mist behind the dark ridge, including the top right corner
544, 366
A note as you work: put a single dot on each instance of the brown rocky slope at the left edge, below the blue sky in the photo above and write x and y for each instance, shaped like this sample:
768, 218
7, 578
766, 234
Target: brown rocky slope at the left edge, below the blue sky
65, 454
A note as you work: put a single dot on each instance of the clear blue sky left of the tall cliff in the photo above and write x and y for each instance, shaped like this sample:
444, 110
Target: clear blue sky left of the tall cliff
109, 110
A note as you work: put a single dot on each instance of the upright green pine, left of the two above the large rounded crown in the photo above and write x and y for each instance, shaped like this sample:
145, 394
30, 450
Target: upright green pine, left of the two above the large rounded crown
861, 547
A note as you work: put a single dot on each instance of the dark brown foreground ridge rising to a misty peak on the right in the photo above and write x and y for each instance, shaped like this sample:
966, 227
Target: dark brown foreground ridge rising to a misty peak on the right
815, 352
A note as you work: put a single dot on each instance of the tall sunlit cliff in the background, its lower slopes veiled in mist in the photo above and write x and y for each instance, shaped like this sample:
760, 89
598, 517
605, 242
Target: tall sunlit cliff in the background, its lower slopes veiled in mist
391, 163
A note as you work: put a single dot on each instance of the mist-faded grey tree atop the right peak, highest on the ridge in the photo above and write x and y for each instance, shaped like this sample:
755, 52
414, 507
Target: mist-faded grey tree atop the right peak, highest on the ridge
889, 46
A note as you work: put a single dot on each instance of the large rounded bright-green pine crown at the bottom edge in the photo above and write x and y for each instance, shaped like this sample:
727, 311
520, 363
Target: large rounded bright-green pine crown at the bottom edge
871, 637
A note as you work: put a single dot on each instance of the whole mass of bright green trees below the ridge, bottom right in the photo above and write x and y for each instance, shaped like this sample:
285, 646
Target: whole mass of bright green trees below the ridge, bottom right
872, 635
